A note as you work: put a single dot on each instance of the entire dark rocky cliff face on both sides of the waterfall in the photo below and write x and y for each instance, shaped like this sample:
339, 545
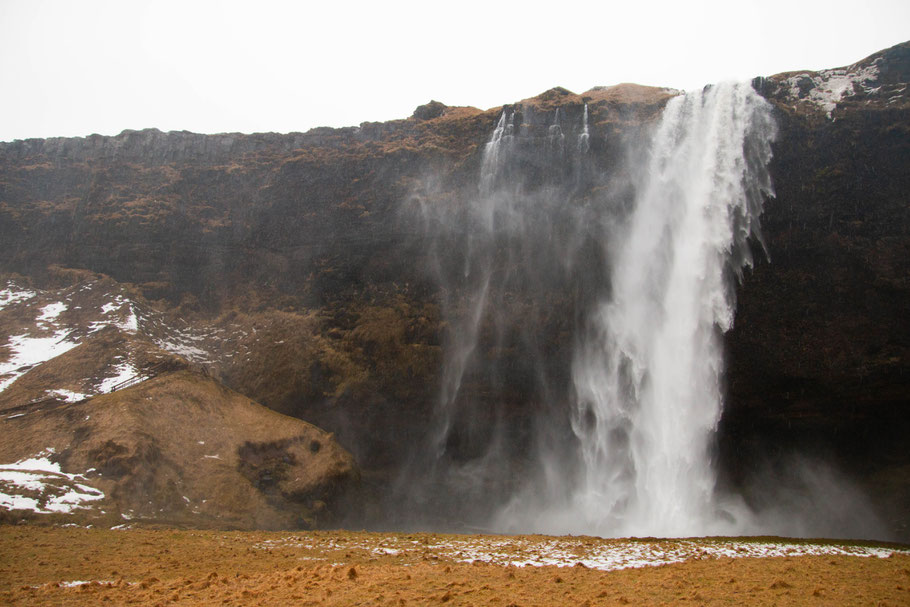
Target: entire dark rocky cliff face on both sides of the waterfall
311, 252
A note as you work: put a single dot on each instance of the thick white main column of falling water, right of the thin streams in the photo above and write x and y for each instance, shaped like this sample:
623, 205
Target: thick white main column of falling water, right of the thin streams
648, 373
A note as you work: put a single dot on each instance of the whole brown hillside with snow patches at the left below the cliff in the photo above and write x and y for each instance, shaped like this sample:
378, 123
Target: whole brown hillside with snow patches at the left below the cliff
103, 426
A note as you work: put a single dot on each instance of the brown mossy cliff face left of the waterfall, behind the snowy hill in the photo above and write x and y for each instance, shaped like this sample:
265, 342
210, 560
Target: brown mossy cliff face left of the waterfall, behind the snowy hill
320, 244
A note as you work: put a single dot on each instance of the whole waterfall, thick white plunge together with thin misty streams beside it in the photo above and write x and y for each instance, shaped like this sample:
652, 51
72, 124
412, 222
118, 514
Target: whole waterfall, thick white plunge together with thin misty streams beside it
622, 416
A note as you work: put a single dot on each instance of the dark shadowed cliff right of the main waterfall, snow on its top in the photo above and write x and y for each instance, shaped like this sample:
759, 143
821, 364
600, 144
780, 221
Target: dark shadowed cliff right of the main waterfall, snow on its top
818, 356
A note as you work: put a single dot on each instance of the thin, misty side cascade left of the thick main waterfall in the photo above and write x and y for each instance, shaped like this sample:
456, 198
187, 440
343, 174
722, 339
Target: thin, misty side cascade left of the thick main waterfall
501, 244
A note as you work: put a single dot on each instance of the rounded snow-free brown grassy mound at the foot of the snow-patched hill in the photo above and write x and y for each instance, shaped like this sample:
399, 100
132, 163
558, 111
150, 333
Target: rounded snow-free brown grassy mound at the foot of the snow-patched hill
184, 449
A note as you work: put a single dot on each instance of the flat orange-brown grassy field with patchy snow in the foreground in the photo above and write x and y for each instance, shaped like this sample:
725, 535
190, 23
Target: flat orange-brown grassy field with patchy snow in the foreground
75, 566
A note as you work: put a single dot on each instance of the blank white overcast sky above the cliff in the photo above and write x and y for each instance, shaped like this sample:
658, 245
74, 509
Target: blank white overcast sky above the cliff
72, 68
